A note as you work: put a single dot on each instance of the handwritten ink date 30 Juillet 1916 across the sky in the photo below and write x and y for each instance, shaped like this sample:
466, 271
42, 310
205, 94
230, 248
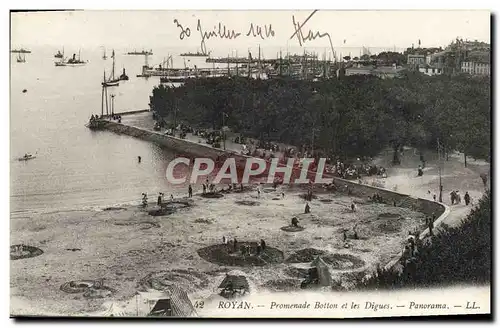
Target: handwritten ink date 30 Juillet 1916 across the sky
221, 31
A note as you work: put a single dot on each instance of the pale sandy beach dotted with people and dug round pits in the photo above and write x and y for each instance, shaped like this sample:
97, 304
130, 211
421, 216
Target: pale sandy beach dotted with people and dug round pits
130, 249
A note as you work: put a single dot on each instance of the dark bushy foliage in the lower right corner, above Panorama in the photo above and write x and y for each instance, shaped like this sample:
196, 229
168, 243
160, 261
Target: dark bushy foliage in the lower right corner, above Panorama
454, 256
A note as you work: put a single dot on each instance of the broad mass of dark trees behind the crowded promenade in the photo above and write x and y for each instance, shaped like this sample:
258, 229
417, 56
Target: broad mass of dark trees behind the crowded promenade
351, 117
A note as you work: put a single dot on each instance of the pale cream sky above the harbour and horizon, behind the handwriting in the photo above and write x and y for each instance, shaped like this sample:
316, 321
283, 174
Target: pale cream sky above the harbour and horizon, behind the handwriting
150, 29
